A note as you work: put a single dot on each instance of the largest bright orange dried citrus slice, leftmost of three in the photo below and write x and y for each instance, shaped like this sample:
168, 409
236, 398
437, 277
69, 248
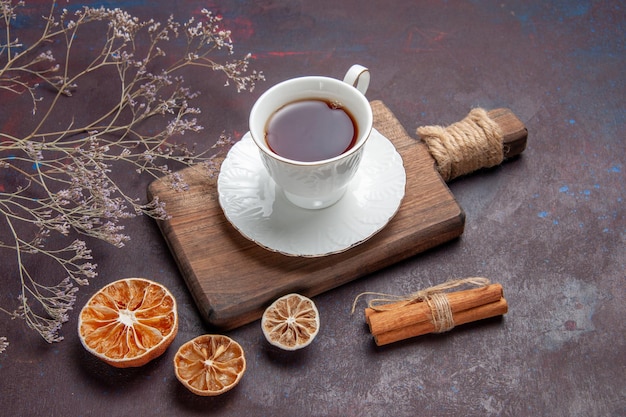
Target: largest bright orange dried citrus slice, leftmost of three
129, 322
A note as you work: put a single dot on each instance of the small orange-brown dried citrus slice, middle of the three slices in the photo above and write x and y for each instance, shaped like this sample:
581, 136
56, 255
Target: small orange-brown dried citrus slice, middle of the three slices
210, 364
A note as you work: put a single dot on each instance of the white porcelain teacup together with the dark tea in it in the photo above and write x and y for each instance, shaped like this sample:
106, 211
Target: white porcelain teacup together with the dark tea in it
311, 133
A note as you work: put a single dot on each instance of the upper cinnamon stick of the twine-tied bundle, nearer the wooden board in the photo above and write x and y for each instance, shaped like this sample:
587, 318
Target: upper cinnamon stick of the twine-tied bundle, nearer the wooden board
397, 316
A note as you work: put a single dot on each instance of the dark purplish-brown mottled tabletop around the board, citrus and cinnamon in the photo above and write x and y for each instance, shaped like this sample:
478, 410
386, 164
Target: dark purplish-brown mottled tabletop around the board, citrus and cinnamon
549, 226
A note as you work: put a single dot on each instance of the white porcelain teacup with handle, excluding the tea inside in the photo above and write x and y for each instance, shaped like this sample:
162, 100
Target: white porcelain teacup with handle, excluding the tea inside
318, 184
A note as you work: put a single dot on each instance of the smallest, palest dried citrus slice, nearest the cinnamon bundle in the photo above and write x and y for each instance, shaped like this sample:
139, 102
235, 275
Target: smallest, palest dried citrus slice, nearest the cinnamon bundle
291, 322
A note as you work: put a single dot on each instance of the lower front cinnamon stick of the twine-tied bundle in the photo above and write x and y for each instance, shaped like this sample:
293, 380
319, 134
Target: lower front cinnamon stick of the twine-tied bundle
481, 312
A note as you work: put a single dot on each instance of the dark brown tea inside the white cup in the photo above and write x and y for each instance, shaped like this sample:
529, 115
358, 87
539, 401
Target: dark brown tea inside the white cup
311, 130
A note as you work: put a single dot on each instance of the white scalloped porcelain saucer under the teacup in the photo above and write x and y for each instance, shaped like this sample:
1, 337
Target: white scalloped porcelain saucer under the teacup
257, 207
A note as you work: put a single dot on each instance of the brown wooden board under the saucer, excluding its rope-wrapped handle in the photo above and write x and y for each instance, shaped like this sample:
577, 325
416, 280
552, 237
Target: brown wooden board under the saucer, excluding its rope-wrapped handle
233, 280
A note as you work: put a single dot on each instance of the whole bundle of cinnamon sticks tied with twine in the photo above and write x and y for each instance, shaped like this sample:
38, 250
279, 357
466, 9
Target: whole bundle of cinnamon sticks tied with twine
432, 310
